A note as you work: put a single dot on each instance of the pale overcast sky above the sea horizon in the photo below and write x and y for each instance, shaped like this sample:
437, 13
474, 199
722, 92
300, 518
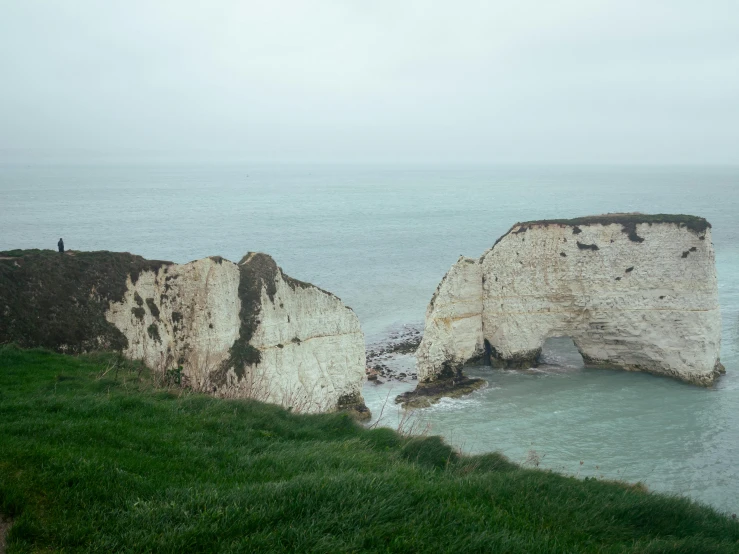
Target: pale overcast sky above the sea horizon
525, 81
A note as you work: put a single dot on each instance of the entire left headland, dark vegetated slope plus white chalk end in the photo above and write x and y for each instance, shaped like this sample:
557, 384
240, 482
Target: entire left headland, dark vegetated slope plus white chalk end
242, 330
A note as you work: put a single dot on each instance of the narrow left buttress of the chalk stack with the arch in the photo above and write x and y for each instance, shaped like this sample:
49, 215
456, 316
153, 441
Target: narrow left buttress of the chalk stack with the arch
453, 331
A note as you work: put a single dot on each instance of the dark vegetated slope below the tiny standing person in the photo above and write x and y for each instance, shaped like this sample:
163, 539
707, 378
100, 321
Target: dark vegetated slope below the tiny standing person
59, 301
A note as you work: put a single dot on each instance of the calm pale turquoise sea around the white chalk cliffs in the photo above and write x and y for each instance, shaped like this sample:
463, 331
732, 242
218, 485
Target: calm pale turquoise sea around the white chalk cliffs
383, 237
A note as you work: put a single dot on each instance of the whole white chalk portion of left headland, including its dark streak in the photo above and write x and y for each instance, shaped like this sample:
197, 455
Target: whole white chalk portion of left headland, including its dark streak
245, 330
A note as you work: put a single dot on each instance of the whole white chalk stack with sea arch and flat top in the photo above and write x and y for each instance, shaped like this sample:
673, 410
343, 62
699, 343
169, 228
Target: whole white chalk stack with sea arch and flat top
633, 291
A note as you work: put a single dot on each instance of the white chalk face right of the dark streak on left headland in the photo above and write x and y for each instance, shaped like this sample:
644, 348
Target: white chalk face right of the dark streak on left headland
311, 346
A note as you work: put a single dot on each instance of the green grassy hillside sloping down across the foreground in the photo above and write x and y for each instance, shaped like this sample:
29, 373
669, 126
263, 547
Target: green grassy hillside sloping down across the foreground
95, 457
